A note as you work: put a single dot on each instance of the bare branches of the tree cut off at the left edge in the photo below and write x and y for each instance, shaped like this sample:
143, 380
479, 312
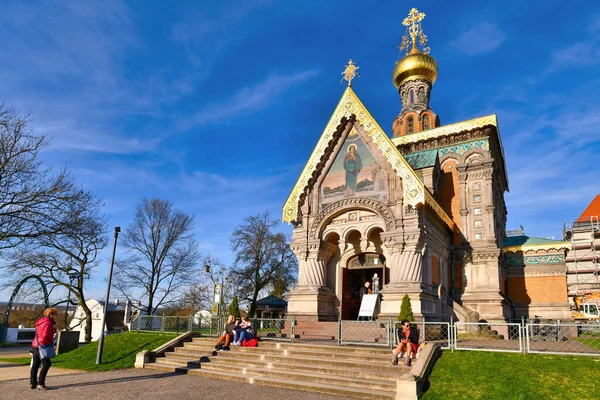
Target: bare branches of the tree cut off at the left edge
31, 198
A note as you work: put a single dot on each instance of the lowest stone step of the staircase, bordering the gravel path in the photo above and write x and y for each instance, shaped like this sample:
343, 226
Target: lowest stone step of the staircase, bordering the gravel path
346, 392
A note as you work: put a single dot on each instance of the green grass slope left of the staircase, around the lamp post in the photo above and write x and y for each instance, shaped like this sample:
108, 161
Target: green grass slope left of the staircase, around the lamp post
119, 352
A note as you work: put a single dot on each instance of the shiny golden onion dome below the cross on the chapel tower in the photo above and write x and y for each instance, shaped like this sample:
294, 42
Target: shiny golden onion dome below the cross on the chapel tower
415, 65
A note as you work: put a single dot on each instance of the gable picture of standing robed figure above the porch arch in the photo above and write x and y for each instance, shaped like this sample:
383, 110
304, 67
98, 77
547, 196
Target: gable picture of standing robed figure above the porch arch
355, 172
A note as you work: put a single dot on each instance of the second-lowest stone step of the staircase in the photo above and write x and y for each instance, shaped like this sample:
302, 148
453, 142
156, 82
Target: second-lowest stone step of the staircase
276, 370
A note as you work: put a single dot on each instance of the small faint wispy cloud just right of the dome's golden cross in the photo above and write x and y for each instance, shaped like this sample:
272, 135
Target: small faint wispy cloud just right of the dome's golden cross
479, 39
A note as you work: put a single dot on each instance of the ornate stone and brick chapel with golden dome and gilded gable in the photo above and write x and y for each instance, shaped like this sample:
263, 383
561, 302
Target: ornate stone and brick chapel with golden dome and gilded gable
422, 209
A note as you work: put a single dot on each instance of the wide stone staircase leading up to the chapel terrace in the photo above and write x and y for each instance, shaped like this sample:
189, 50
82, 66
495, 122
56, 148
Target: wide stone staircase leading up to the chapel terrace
350, 372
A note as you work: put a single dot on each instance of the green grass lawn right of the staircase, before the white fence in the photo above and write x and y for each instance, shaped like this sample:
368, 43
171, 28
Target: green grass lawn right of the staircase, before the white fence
490, 375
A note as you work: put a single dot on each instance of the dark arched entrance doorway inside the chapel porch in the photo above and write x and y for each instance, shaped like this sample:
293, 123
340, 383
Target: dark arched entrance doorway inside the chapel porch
359, 269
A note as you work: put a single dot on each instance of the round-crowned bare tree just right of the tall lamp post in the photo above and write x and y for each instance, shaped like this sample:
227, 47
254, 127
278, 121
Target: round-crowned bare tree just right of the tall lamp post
162, 254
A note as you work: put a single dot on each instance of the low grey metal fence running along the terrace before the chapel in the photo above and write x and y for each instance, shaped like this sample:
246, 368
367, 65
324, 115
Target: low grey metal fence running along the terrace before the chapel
557, 337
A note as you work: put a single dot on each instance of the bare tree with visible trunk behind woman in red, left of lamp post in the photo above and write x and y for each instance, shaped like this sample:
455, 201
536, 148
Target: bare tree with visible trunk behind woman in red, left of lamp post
66, 258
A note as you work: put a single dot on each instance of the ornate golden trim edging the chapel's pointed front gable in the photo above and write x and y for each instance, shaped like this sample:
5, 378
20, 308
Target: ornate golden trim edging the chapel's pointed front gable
413, 189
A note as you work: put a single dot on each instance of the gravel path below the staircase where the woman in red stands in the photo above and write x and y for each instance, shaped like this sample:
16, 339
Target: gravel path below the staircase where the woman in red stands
142, 383
